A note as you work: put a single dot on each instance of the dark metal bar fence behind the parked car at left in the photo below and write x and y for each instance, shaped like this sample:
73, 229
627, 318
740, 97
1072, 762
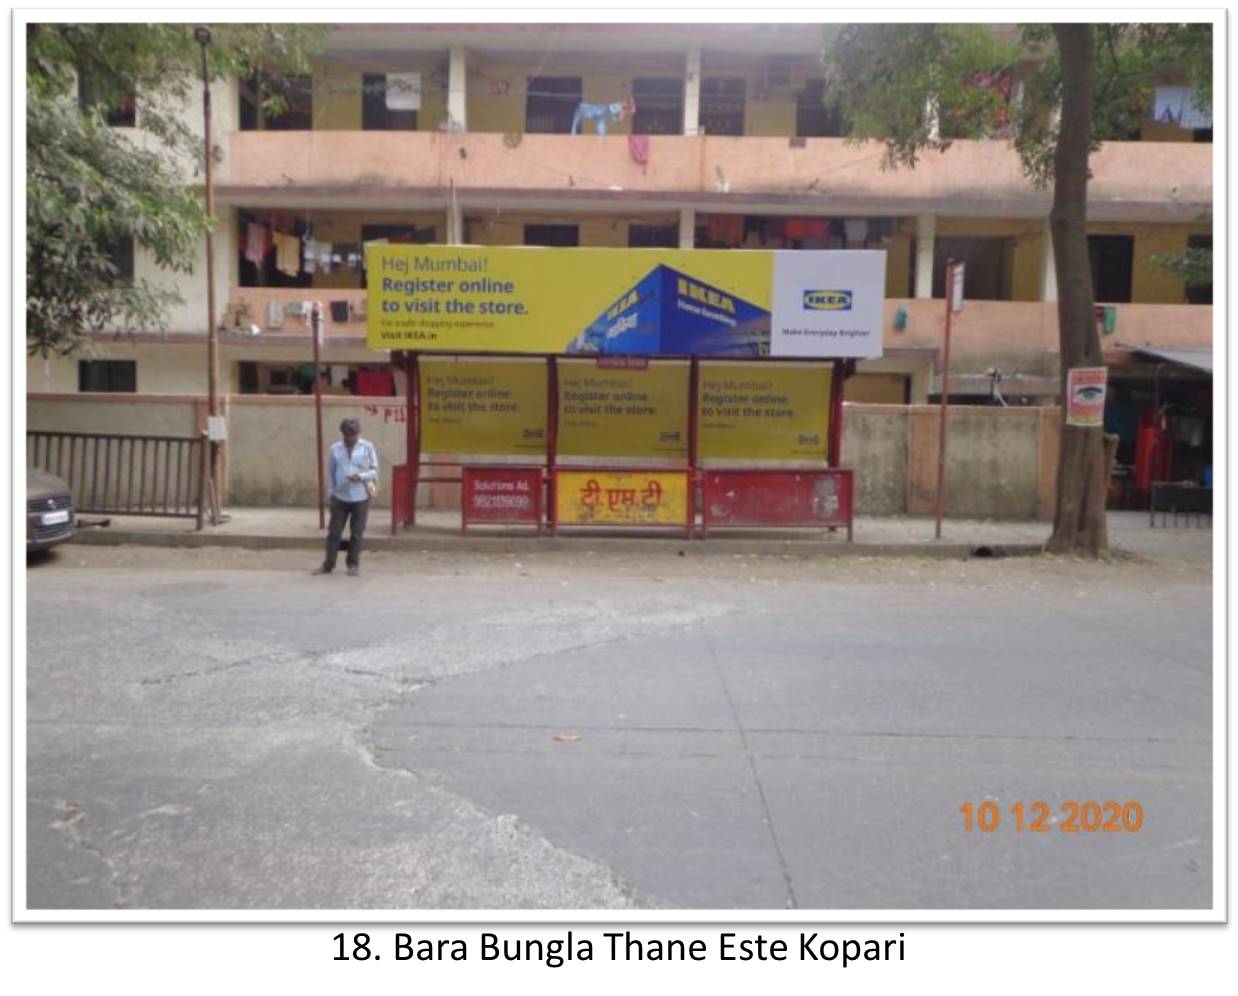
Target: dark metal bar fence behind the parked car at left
149, 476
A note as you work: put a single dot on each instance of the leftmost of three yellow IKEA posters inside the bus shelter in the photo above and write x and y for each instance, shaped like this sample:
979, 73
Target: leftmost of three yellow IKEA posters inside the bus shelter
483, 408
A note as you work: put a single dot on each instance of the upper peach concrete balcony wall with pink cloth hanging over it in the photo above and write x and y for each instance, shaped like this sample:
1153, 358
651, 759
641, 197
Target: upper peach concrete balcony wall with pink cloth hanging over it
1132, 181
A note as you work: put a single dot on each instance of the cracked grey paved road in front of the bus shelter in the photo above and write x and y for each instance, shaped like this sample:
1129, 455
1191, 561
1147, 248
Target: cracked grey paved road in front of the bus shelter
216, 729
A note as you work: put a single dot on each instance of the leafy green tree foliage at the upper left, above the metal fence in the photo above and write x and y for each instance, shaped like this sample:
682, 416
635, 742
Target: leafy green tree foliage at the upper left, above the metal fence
92, 189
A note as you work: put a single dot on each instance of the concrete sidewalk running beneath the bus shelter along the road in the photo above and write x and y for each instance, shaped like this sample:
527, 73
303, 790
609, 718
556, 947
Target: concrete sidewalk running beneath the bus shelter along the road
439, 530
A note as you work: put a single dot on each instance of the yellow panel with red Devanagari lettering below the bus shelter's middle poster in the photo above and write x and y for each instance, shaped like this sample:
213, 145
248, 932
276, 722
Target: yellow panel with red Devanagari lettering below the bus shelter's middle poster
622, 498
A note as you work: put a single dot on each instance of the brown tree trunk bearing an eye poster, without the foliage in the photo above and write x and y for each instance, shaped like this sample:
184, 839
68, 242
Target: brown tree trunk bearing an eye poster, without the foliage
1079, 519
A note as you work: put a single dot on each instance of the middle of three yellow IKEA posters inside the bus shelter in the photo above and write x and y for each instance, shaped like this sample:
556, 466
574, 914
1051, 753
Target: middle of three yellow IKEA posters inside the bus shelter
623, 413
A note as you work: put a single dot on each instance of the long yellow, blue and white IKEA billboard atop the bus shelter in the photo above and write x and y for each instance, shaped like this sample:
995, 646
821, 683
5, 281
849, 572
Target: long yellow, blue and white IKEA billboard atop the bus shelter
626, 303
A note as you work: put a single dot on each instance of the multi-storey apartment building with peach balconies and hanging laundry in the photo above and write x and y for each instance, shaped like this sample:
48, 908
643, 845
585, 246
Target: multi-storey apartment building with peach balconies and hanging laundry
634, 135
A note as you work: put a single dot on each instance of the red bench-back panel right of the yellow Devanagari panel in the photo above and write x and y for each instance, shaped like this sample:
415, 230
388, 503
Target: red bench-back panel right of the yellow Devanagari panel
779, 498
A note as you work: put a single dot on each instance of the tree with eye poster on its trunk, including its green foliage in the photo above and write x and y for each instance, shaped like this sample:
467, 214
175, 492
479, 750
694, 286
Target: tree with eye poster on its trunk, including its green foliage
920, 87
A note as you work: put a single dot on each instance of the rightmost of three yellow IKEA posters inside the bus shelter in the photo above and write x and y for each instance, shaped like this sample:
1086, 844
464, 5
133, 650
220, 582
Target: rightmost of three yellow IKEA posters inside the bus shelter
764, 413
